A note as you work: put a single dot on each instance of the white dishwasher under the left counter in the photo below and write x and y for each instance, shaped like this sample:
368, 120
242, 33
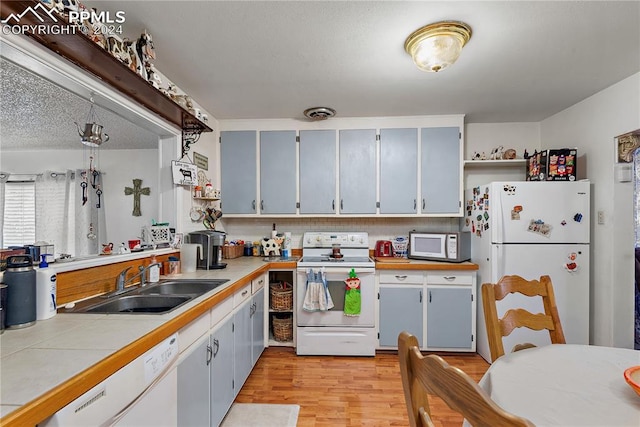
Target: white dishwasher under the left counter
142, 393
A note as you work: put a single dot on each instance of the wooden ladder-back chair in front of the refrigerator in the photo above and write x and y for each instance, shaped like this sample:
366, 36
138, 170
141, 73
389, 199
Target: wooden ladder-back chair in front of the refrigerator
516, 318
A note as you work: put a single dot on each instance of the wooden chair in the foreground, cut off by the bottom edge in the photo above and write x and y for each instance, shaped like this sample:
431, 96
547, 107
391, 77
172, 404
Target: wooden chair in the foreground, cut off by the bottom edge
431, 374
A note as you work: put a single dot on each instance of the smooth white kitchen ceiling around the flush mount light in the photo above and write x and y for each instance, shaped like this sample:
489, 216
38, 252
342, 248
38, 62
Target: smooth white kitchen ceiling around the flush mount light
526, 60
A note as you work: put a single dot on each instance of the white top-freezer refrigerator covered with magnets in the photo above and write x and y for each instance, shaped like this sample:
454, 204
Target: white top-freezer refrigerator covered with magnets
532, 229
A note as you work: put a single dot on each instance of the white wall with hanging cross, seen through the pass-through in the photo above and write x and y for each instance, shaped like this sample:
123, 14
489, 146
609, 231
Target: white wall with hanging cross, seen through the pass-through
120, 167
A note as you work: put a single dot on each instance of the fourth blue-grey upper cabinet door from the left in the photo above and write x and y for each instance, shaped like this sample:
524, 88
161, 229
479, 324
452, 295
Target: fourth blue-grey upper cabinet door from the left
358, 171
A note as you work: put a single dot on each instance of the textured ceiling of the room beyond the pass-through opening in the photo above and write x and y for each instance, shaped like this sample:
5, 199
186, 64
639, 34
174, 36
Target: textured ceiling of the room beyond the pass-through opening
37, 114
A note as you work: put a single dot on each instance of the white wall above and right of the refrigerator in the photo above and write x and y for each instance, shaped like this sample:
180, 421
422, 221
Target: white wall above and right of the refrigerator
591, 126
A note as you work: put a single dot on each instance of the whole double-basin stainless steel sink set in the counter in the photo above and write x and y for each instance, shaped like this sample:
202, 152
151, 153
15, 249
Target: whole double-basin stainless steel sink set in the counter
158, 298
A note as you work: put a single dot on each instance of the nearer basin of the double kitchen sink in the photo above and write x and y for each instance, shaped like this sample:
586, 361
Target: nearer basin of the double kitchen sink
140, 304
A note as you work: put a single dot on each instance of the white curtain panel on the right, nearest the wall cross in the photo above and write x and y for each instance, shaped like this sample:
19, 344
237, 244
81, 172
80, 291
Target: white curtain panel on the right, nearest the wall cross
91, 225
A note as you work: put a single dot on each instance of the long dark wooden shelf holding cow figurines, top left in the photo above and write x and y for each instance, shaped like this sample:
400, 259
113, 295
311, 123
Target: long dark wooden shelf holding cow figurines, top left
86, 54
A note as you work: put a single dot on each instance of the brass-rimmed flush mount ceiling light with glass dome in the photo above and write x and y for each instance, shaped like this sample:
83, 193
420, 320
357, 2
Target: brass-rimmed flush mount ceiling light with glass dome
436, 46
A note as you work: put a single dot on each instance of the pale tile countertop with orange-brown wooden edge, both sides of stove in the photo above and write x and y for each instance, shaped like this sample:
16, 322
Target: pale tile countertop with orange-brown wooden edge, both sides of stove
48, 365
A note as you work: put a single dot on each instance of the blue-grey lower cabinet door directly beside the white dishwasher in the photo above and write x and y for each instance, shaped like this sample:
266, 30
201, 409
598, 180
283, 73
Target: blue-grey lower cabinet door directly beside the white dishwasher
193, 386
